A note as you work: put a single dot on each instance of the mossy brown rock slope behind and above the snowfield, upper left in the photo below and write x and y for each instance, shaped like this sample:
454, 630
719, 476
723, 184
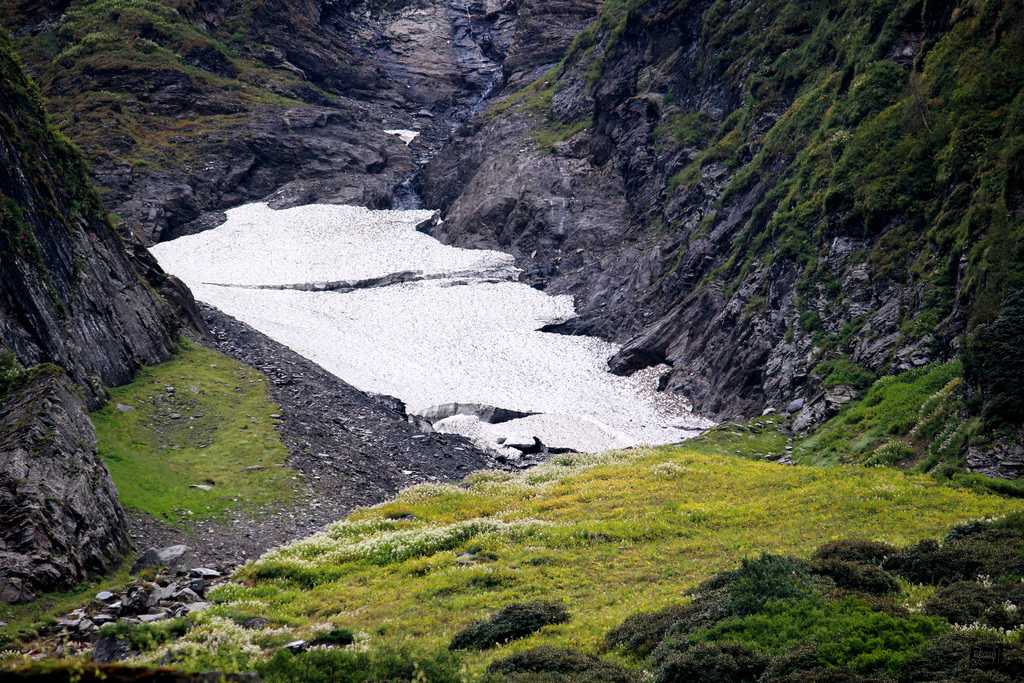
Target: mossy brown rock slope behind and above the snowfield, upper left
186, 109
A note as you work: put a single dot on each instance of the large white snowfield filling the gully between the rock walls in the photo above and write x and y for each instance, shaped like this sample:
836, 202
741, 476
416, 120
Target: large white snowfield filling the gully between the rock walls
392, 311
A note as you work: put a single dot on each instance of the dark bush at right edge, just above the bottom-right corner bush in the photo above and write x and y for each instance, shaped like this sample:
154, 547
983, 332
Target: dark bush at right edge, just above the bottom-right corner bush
1000, 606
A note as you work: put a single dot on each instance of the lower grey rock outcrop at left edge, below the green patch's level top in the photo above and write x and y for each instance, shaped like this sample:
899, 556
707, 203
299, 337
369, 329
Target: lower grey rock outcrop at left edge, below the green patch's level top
60, 519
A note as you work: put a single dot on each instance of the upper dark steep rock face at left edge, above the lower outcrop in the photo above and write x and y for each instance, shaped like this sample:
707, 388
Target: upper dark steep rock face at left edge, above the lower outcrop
72, 291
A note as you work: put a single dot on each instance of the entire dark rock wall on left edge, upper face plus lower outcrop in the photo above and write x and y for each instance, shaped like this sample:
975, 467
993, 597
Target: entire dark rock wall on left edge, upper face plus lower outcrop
82, 309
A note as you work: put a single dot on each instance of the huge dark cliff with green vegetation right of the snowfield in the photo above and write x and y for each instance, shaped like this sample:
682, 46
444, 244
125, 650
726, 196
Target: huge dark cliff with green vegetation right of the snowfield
781, 199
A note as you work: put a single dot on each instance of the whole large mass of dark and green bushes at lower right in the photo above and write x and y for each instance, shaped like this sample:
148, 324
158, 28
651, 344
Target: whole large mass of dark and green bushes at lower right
833, 619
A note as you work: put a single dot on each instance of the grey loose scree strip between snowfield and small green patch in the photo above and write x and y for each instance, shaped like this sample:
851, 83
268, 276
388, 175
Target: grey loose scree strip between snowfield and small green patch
347, 447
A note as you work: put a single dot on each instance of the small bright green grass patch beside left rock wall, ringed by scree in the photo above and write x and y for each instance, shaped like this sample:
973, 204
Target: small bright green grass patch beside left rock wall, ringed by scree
193, 439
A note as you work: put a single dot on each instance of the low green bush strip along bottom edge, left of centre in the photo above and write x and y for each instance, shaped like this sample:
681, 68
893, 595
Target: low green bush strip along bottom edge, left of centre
345, 666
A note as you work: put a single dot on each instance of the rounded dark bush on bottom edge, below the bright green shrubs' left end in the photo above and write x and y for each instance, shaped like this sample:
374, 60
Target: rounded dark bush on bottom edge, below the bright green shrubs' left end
713, 663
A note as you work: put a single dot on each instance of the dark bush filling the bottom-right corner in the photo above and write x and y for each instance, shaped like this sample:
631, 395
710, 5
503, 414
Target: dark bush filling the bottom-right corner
966, 657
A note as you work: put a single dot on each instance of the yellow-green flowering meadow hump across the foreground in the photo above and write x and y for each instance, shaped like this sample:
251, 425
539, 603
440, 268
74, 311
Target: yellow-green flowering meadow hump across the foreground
606, 535
